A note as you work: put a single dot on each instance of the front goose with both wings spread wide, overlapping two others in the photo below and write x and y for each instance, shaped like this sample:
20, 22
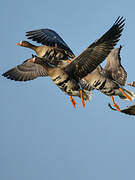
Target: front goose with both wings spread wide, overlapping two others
67, 77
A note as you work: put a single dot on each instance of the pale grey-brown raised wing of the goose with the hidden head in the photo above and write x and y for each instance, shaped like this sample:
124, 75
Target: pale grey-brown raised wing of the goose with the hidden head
114, 69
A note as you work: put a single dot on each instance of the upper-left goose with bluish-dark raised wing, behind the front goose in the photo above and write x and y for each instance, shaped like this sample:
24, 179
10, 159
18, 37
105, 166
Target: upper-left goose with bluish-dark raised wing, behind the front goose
53, 47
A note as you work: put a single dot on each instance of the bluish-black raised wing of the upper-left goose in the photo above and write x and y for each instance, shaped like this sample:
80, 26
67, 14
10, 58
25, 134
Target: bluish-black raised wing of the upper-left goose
49, 37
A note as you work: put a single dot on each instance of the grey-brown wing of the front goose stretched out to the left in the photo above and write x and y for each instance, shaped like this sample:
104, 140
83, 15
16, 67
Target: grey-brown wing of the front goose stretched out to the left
25, 71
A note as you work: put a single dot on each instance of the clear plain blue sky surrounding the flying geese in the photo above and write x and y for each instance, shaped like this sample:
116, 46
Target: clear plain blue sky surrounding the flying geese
41, 135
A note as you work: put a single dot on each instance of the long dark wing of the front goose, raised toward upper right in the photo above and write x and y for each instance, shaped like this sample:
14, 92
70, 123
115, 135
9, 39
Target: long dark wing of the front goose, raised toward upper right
87, 61
